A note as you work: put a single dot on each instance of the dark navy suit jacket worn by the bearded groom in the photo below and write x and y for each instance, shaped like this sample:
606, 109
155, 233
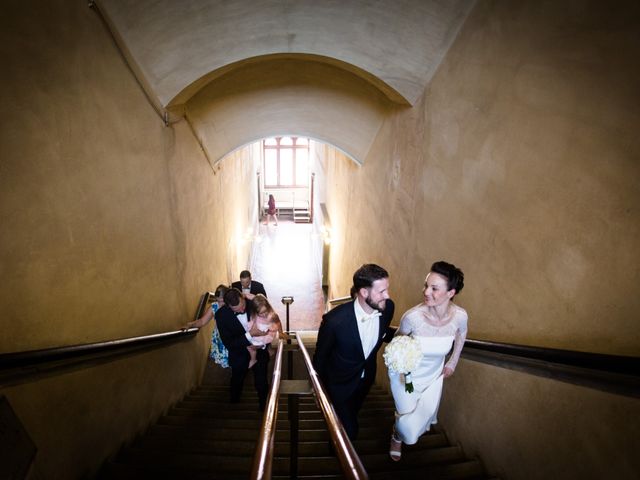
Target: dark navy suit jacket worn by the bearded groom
339, 359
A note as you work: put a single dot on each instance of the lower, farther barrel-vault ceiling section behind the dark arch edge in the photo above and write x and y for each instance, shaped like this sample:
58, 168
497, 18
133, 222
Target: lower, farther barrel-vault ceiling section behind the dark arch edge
287, 96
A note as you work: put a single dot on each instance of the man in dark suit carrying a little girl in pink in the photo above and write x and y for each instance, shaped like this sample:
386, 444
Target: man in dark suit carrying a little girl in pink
238, 331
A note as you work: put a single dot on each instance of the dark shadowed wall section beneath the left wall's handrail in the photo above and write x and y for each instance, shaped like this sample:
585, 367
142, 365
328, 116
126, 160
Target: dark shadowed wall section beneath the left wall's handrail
77, 419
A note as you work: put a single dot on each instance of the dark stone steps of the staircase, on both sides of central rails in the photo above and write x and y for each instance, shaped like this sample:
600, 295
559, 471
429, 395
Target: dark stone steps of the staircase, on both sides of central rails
205, 437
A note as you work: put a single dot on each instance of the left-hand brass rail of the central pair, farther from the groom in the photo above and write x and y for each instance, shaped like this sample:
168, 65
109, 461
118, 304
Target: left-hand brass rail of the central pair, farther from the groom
263, 458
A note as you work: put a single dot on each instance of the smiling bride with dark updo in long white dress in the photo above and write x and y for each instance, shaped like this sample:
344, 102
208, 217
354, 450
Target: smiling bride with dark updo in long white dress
438, 324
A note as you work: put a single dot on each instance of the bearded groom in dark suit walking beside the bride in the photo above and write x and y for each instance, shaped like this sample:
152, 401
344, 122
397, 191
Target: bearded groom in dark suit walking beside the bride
348, 342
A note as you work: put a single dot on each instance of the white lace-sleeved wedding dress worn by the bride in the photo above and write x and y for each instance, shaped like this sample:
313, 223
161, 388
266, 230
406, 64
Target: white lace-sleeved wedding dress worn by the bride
417, 411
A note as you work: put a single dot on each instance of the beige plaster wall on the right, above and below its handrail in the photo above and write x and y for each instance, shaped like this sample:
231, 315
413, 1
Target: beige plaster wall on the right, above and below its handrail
519, 164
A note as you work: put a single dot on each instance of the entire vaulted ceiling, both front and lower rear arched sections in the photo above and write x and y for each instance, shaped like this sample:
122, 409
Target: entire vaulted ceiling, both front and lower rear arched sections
301, 62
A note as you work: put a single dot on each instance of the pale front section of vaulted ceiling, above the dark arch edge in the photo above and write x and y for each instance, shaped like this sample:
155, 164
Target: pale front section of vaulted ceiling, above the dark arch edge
176, 44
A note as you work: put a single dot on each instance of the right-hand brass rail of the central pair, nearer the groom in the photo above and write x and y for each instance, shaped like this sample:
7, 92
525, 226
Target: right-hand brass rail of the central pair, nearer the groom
349, 460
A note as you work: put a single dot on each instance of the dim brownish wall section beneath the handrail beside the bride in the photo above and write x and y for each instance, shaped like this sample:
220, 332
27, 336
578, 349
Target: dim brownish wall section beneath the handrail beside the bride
547, 429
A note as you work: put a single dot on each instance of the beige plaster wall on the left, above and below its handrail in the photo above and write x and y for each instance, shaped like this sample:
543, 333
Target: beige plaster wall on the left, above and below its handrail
112, 226
